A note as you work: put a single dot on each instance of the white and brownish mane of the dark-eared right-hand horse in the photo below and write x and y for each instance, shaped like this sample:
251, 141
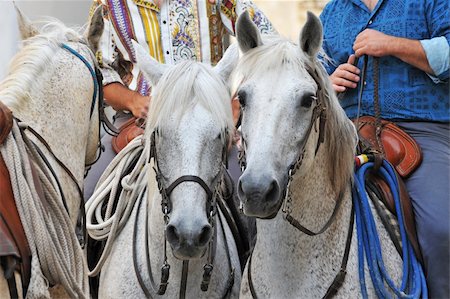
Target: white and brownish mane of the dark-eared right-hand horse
275, 55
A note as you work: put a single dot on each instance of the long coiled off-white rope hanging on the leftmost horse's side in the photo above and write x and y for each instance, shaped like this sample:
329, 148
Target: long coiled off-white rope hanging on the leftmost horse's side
57, 257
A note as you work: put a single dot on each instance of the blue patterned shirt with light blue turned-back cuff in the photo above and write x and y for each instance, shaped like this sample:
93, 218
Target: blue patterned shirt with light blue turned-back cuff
405, 92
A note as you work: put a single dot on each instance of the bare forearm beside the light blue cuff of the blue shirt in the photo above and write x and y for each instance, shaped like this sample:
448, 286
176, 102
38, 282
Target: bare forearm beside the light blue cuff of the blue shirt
411, 52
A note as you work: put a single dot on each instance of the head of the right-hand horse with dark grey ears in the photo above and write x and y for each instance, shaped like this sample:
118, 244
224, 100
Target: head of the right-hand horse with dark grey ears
288, 110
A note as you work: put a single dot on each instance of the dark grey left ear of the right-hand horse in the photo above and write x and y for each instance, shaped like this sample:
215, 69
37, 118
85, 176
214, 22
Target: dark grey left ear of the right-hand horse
247, 33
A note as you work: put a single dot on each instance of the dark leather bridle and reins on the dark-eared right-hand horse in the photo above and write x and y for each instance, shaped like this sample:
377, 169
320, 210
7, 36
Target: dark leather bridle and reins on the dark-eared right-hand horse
319, 113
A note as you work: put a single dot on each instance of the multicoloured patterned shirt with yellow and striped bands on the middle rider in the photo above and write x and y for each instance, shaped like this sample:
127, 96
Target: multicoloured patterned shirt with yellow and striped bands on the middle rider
176, 30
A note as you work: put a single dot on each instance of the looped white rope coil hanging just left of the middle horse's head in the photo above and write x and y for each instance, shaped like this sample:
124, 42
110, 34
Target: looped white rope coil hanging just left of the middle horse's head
107, 225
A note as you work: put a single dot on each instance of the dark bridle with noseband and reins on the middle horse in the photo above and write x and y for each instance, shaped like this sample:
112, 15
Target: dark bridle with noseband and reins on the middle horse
166, 206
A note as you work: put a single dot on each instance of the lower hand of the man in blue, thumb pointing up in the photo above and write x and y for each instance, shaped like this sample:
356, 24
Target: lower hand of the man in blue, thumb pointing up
345, 76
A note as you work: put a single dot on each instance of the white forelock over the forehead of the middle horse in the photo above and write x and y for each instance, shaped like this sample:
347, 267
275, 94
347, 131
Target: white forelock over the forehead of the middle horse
185, 85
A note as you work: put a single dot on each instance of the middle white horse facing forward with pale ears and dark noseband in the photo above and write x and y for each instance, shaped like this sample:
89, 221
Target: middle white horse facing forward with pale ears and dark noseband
187, 135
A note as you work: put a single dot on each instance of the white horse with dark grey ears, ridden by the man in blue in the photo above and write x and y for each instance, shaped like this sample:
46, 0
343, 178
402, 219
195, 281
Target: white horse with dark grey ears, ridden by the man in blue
288, 109
